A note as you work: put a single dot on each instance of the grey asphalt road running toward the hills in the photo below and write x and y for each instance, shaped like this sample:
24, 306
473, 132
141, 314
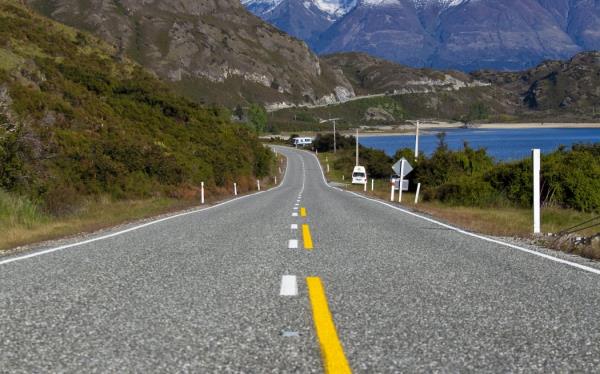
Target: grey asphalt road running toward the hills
202, 293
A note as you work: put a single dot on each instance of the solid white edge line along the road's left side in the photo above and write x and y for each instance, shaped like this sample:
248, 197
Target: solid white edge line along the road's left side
77, 244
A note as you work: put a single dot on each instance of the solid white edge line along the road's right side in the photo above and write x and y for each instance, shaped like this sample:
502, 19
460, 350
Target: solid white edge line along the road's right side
461, 231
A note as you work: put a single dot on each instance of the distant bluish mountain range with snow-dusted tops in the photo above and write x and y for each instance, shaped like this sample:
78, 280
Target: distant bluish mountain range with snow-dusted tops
459, 34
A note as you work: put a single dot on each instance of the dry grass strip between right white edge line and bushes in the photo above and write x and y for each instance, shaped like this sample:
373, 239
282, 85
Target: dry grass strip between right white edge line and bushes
499, 221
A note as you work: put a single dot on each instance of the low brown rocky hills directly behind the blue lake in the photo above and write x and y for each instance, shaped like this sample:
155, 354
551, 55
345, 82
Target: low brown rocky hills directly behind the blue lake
565, 91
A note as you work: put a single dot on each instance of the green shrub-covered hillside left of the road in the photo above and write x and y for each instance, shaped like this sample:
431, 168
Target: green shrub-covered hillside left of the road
77, 120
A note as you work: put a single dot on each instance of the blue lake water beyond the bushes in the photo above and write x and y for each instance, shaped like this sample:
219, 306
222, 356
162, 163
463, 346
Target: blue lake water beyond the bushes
502, 144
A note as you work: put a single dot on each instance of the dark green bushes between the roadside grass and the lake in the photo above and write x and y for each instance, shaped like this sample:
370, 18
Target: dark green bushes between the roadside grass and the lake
470, 177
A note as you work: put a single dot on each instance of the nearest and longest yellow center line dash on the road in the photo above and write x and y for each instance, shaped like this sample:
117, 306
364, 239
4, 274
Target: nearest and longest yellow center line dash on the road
334, 359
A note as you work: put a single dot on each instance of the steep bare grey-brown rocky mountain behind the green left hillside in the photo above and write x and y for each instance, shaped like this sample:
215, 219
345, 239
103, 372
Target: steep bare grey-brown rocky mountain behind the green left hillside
212, 51
